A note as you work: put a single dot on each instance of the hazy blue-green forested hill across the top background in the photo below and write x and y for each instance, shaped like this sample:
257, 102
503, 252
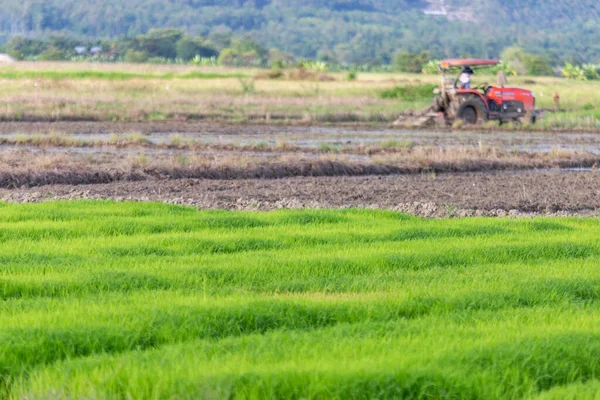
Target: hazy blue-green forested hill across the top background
345, 30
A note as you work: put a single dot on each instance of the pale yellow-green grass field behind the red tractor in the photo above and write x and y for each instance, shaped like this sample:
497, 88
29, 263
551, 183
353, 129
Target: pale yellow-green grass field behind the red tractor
122, 92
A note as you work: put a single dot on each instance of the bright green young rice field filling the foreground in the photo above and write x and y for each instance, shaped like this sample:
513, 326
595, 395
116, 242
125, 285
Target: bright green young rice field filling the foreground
103, 300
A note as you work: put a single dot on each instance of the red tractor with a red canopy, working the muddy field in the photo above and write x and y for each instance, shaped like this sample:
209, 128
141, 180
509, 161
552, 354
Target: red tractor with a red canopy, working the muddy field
477, 105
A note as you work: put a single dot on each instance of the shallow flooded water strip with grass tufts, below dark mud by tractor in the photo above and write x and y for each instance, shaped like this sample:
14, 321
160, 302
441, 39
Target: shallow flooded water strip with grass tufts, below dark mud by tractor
312, 138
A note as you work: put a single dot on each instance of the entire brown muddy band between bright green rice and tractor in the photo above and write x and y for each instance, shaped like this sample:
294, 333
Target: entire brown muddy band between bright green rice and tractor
253, 167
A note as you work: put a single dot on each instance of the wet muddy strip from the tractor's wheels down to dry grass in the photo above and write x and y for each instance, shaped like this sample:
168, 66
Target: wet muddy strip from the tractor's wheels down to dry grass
307, 137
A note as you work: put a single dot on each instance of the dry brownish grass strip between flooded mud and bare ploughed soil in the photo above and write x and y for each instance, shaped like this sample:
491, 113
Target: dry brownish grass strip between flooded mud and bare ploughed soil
135, 158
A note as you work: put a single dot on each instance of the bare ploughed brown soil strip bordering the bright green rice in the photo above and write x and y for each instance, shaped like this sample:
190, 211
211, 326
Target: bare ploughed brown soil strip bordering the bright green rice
498, 194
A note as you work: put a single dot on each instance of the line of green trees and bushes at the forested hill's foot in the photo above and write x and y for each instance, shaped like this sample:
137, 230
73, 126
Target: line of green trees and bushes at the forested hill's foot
163, 46
